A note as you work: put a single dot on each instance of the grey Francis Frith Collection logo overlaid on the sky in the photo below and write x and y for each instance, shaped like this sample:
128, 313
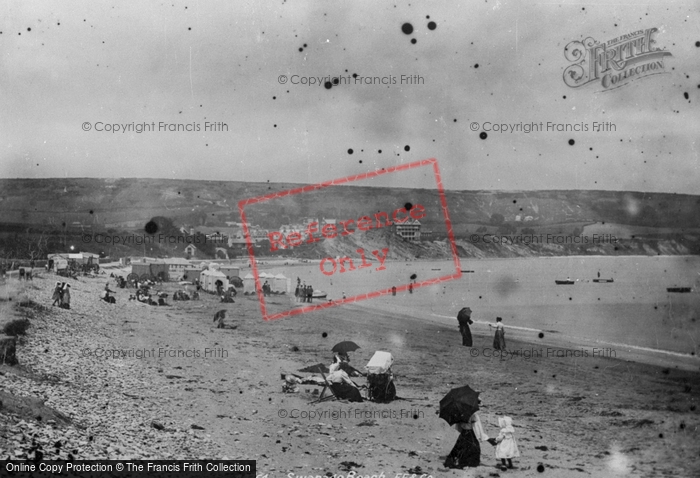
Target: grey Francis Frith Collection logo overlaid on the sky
614, 63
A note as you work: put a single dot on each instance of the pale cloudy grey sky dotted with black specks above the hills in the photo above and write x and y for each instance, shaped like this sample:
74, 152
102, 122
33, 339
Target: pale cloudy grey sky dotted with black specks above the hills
70, 70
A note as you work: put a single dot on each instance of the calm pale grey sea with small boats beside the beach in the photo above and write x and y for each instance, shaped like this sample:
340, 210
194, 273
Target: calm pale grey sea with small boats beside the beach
635, 310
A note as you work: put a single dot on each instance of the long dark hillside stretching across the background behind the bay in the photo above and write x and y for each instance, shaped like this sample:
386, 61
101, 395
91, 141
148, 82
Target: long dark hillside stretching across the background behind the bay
656, 223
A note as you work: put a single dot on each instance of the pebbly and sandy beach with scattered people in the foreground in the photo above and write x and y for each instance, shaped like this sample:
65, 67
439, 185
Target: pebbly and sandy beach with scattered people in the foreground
217, 392
